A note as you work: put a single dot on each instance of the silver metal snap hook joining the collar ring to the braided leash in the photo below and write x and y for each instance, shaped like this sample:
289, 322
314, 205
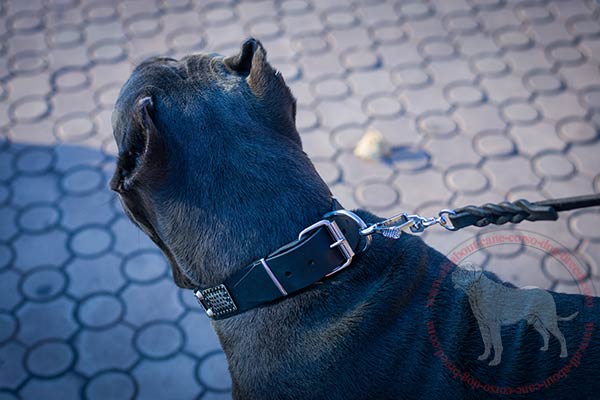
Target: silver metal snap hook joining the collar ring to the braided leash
393, 227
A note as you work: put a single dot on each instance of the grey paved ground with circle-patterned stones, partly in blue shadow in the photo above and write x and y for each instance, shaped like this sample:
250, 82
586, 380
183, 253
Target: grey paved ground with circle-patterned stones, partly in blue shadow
481, 100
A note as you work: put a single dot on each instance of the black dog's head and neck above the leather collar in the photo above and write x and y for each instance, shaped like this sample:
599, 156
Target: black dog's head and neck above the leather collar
208, 150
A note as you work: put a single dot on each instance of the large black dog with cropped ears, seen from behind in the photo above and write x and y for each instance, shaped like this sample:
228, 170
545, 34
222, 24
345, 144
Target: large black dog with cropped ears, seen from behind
211, 167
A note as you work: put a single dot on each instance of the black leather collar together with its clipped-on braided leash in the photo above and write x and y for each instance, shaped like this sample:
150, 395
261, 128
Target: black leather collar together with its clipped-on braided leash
329, 245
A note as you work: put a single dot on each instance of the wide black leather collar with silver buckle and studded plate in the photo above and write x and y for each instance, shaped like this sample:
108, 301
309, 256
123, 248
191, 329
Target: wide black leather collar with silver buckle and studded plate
322, 249
